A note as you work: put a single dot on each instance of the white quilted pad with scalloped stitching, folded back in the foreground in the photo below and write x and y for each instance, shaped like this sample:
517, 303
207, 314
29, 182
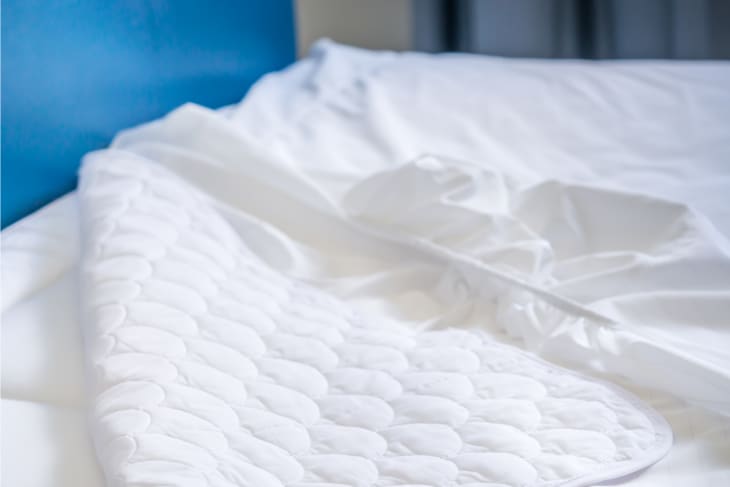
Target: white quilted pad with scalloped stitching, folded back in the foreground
210, 368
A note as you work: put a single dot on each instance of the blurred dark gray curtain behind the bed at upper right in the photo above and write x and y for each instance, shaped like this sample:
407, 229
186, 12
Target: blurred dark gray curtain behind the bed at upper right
590, 29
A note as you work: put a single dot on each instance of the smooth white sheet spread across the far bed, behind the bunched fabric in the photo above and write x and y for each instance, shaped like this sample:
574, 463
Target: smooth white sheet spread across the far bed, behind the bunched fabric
653, 127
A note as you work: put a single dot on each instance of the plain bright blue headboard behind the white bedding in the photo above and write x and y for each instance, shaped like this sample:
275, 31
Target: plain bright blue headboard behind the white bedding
74, 72
